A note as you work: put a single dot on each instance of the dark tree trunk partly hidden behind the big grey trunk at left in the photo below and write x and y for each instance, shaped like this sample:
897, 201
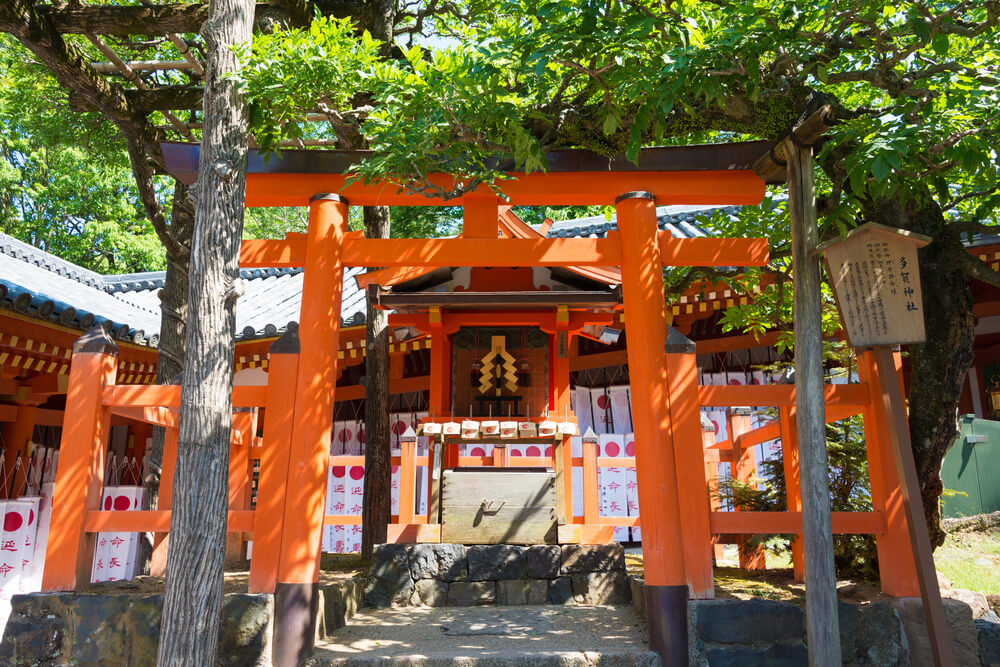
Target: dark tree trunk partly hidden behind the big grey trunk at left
170, 360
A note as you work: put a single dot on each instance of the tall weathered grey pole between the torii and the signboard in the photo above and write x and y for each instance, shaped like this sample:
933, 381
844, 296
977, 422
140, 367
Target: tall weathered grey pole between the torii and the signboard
822, 628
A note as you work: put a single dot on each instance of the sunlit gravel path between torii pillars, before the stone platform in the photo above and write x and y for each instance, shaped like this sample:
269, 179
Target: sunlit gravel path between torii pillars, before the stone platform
481, 630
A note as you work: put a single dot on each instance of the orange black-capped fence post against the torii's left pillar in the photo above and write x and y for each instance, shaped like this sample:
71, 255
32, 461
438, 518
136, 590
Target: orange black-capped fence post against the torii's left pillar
270, 513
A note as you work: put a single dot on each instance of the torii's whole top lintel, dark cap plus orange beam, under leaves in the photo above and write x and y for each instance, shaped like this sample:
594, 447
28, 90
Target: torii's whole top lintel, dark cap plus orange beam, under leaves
710, 174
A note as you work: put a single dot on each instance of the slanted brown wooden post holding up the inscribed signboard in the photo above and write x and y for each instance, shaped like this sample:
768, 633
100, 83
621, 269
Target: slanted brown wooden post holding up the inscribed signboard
913, 509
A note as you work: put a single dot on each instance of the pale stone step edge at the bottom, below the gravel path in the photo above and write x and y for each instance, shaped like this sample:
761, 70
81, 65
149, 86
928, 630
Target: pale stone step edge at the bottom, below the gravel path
511, 658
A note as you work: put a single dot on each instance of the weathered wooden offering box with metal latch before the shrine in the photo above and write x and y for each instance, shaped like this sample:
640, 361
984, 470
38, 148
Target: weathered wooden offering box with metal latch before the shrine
498, 506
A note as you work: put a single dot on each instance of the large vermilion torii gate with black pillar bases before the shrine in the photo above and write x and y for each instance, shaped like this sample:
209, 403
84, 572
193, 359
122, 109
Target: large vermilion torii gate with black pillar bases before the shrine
673, 503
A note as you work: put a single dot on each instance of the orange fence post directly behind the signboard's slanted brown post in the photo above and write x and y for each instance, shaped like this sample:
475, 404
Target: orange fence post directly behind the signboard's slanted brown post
896, 564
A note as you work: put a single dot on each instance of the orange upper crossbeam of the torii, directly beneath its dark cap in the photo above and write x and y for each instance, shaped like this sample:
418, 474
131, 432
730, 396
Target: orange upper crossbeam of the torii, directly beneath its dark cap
720, 188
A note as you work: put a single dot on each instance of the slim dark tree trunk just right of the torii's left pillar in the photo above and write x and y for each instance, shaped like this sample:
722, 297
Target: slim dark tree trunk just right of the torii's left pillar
377, 509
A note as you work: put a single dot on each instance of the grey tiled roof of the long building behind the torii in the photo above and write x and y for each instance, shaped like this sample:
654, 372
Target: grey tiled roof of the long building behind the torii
44, 286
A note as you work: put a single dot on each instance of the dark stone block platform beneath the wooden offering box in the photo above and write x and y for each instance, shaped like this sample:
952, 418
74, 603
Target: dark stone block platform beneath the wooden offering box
438, 575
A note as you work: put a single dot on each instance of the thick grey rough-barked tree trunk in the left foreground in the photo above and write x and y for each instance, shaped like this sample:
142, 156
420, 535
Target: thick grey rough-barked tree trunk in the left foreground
195, 563
